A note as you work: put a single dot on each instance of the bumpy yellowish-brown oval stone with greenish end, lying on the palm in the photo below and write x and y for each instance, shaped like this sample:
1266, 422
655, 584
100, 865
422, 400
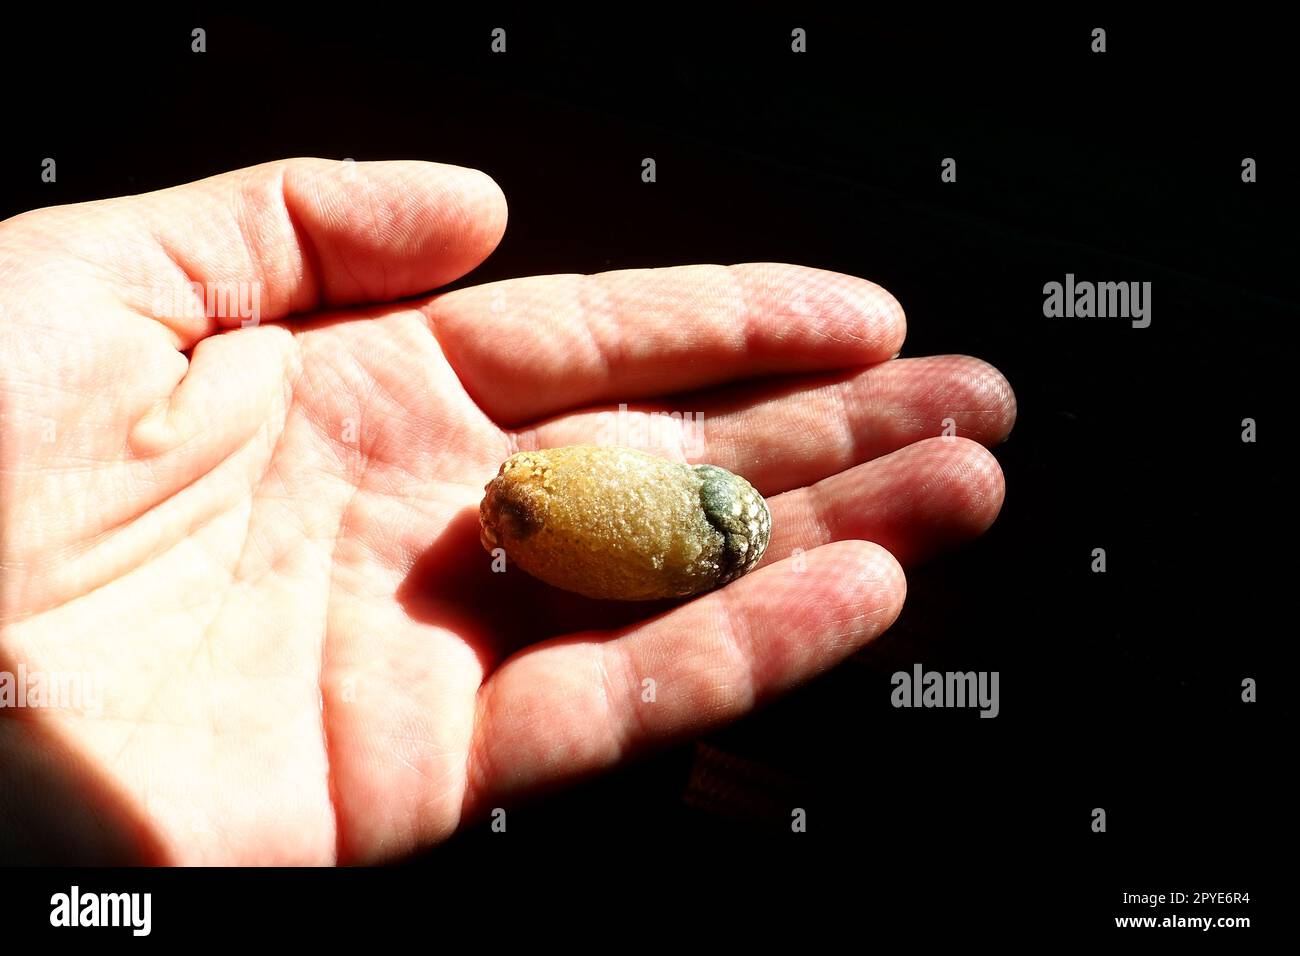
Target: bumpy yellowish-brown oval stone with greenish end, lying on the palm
617, 524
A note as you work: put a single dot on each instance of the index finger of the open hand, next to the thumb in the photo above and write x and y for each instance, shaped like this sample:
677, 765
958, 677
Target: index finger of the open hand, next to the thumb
528, 348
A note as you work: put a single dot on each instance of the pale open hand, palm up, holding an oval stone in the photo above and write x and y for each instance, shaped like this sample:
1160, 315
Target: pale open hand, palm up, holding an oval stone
262, 543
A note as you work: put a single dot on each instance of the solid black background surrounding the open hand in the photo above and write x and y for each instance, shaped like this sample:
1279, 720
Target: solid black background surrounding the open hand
1120, 691
